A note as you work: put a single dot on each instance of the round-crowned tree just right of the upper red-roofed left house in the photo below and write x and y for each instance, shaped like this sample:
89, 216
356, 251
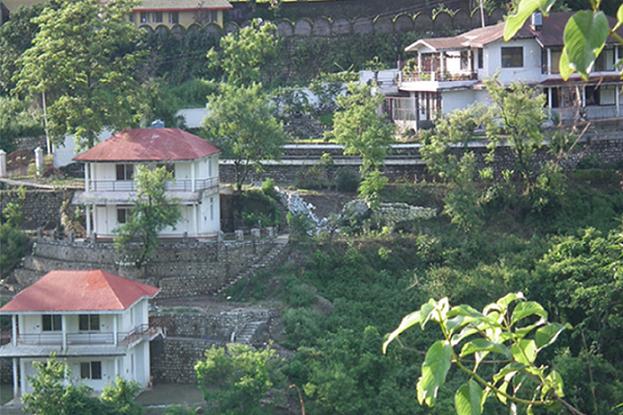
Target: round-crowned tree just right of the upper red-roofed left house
241, 121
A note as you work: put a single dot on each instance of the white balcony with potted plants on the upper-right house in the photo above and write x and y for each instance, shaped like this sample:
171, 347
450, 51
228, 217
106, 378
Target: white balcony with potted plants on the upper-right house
435, 80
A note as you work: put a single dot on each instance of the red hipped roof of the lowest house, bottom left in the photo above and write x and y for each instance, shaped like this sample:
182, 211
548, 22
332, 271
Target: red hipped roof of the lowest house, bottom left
84, 290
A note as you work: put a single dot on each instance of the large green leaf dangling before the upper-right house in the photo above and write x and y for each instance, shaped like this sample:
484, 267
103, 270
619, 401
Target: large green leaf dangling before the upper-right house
585, 35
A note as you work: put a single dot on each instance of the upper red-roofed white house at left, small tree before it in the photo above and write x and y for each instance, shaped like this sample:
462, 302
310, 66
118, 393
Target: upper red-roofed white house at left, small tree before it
110, 188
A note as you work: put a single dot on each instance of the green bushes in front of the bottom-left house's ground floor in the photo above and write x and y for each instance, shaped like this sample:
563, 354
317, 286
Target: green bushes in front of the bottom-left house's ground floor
53, 395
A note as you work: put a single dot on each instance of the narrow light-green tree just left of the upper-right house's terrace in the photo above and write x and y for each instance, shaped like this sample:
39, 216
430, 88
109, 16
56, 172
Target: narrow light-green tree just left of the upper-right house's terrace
364, 131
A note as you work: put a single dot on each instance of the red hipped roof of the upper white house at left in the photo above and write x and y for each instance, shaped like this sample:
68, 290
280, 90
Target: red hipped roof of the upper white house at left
150, 144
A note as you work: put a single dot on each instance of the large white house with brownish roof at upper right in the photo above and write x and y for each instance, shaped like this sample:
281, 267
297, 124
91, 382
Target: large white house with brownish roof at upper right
447, 73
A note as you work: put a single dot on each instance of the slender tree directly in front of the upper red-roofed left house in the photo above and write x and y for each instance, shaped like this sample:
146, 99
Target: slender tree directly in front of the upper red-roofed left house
152, 212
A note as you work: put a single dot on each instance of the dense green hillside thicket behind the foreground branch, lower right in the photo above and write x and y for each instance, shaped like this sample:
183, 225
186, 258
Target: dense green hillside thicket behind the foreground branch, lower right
341, 297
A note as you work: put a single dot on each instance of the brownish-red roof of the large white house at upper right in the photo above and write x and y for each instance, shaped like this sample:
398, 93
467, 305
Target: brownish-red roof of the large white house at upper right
549, 35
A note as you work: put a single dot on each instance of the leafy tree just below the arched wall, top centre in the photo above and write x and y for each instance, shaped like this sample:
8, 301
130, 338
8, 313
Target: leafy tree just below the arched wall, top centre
246, 53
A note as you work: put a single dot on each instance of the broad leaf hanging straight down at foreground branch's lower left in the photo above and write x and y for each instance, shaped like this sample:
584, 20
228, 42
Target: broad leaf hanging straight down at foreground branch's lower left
434, 370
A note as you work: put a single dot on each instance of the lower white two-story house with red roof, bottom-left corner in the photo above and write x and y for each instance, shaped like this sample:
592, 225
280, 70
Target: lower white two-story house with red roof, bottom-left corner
95, 321
